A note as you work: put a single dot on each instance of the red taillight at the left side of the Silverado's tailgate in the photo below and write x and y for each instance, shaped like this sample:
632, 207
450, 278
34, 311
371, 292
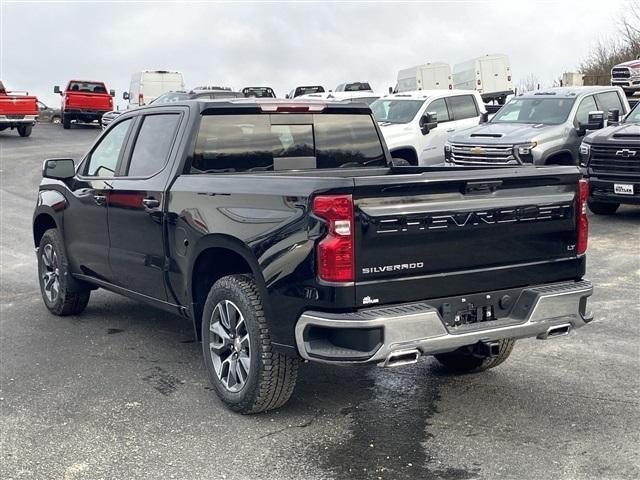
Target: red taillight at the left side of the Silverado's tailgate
335, 251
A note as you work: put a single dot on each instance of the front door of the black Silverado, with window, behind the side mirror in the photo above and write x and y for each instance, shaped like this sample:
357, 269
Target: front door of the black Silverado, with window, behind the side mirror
85, 225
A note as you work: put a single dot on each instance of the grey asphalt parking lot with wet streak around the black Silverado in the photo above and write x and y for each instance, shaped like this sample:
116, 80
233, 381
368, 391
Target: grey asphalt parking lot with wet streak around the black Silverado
120, 392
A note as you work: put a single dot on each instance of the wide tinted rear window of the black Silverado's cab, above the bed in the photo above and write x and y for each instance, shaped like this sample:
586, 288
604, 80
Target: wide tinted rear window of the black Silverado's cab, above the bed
240, 143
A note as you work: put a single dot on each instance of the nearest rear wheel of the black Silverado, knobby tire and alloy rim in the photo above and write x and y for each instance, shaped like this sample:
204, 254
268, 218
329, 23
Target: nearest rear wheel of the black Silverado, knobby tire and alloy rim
271, 376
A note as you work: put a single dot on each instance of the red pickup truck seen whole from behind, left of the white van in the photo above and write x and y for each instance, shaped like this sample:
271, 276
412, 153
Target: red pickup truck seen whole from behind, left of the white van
84, 101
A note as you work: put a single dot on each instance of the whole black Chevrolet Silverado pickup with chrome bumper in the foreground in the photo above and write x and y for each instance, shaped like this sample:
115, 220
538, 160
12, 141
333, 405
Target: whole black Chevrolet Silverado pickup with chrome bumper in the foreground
284, 232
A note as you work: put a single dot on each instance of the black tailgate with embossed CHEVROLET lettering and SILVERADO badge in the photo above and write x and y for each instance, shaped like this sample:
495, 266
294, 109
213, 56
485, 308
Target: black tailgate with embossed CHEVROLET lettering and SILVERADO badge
446, 233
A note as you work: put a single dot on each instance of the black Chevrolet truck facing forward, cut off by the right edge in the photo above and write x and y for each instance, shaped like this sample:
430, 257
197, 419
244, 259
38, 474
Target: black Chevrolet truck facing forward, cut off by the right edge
610, 159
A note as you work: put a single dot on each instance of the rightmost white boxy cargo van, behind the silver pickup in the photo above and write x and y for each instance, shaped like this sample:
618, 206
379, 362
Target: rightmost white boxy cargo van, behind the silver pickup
489, 75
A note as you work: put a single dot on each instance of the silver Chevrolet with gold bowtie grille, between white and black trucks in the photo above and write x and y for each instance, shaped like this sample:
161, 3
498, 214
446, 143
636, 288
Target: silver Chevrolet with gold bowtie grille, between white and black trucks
540, 128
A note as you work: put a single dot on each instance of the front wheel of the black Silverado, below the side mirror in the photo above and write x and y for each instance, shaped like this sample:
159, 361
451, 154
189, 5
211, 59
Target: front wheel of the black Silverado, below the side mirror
71, 298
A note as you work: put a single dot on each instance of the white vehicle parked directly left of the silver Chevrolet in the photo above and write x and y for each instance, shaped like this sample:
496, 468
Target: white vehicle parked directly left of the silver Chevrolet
416, 125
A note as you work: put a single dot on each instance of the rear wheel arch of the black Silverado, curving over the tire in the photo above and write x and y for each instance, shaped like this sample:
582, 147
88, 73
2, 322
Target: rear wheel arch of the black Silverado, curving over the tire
214, 257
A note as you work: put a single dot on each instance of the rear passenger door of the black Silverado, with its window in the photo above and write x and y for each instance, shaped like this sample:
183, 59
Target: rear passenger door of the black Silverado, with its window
136, 221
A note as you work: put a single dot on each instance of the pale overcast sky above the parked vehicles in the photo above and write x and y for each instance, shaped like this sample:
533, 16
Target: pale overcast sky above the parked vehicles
283, 45
